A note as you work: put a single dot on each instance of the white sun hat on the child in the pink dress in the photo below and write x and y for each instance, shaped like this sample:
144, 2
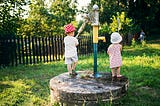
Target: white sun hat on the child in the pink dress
116, 37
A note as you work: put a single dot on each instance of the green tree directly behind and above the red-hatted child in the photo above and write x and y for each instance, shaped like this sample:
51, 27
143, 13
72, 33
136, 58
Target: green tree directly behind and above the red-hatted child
63, 12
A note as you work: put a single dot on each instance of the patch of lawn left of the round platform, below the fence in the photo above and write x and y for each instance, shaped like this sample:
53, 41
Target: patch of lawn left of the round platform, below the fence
34, 79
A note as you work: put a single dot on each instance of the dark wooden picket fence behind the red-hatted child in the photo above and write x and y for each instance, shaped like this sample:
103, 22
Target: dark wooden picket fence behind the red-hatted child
33, 50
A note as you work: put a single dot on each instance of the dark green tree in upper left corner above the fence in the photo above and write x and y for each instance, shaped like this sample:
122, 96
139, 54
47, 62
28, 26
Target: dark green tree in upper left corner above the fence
10, 15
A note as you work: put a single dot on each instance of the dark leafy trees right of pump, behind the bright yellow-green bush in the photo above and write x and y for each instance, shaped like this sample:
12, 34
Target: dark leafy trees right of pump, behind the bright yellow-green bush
144, 13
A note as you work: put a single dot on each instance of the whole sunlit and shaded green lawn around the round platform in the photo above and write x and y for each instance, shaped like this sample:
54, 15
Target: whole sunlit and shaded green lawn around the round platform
29, 85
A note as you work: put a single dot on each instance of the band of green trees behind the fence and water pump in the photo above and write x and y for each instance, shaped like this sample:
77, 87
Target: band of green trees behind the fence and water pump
48, 19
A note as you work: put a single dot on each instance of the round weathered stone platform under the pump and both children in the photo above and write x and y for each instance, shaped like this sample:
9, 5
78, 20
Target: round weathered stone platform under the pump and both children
85, 89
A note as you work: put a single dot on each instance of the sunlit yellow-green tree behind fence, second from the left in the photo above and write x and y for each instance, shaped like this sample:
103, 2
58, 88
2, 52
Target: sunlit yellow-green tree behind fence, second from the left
35, 24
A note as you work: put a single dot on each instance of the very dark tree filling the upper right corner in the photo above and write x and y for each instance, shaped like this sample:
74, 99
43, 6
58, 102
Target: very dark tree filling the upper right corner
144, 12
